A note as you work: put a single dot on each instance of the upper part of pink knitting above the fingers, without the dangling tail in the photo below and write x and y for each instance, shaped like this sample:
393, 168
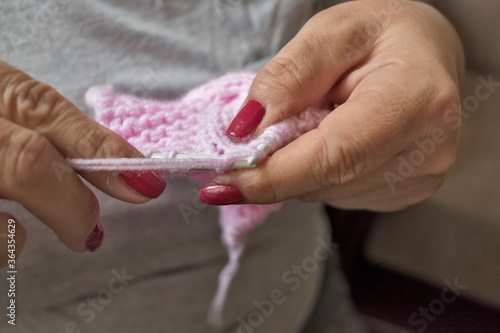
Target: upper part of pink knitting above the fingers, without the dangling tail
194, 124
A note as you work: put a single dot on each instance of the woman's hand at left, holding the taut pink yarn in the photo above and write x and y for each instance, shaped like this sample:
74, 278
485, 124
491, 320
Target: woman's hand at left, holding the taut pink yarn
39, 128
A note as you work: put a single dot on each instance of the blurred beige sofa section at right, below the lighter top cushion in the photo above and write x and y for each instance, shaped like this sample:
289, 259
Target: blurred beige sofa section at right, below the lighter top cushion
456, 233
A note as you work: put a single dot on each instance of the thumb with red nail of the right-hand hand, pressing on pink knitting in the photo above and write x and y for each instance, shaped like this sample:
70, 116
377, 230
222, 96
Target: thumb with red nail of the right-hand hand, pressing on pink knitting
303, 71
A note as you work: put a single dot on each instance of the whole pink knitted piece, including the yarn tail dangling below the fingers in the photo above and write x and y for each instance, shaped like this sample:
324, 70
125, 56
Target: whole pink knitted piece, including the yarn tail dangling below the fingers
196, 124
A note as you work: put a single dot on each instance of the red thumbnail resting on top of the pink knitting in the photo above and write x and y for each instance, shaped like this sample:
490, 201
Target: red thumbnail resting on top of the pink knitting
246, 121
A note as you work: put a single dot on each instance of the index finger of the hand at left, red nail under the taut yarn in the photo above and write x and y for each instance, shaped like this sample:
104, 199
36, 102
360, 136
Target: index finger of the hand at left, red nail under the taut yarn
39, 107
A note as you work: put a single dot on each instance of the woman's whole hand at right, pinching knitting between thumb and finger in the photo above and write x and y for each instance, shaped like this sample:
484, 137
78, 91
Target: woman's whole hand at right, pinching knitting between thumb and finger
393, 68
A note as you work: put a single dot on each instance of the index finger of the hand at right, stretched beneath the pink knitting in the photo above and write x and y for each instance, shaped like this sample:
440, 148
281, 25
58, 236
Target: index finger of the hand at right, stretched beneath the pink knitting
382, 117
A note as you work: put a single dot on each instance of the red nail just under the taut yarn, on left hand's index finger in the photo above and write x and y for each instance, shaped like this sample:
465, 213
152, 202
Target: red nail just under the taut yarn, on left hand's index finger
147, 183
